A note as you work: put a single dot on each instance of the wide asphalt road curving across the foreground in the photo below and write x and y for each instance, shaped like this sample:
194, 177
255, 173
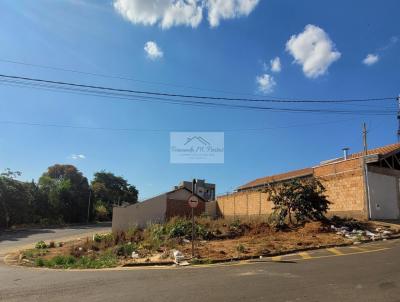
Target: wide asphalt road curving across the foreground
365, 273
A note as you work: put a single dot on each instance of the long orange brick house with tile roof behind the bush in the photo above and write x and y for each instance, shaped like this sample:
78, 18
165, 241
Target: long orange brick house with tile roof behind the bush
369, 191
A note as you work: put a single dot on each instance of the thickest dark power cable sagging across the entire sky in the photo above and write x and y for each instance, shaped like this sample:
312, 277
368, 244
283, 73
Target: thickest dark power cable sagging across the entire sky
142, 92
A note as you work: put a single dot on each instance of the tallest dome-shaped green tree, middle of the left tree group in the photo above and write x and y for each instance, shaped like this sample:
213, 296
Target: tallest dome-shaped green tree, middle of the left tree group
67, 192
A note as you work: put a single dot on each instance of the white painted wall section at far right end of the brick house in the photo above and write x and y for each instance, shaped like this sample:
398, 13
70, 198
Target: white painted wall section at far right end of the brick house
383, 195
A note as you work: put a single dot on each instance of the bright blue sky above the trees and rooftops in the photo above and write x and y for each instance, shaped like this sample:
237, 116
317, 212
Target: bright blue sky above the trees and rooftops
208, 48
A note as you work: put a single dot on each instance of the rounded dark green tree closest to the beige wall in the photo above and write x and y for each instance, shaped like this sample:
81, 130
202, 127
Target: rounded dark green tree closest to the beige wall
110, 189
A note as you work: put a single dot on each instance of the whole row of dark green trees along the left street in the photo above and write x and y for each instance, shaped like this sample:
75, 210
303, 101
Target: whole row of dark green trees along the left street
60, 196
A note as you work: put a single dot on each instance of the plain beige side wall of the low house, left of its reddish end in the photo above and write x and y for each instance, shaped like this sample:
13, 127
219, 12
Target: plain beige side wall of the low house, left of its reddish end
140, 214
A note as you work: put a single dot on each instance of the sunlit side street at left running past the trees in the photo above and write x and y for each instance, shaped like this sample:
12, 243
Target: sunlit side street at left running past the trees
12, 240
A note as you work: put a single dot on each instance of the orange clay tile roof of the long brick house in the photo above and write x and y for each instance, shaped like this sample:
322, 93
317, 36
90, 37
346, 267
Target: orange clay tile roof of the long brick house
383, 151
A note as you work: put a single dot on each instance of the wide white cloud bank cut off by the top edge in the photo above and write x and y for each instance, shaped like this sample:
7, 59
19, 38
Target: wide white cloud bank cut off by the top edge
168, 13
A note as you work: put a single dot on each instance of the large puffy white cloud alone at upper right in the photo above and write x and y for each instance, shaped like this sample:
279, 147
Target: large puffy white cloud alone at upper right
314, 50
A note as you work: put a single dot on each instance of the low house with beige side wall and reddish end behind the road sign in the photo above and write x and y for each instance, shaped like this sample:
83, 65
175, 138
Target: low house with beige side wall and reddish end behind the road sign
159, 209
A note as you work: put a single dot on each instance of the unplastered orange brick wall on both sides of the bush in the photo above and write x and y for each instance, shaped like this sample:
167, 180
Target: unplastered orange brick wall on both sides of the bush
344, 186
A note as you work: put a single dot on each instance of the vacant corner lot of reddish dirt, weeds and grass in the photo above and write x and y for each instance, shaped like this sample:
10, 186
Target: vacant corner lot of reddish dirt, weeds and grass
216, 240
